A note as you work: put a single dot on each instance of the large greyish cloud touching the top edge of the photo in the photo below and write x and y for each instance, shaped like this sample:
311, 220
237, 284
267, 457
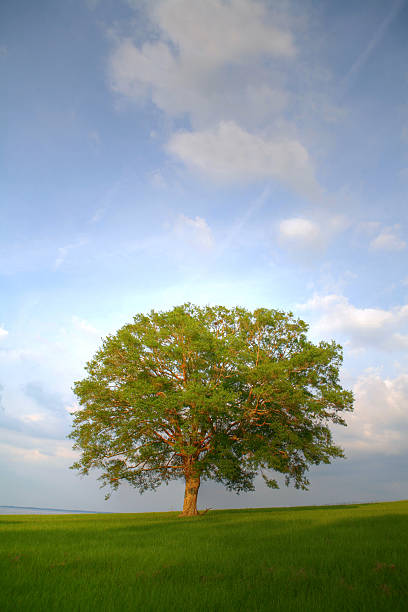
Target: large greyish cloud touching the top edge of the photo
188, 69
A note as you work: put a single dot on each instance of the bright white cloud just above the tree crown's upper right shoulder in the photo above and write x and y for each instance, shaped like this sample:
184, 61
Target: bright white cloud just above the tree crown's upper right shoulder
362, 327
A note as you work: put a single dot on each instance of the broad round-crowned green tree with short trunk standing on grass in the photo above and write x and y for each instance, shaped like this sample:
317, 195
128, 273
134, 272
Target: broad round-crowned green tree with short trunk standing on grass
209, 393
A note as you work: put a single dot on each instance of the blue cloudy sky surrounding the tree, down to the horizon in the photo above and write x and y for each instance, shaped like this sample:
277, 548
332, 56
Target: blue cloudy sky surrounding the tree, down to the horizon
234, 152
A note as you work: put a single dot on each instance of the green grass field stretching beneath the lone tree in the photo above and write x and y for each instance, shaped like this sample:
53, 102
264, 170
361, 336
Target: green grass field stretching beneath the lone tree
352, 558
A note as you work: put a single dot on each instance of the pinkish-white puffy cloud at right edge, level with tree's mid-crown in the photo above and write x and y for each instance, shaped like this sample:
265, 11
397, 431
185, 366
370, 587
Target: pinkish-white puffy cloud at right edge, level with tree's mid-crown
379, 422
